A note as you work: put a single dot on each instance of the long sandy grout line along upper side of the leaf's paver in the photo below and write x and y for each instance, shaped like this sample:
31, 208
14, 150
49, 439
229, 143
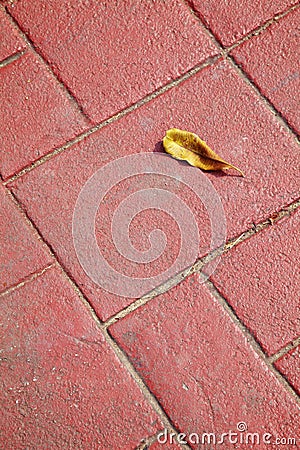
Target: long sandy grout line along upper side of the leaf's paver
208, 62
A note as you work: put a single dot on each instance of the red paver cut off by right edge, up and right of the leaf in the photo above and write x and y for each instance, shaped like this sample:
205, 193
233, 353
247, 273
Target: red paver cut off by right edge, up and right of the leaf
271, 60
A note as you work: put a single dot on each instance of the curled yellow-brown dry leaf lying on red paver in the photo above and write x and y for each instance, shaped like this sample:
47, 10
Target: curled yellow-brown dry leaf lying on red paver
189, 147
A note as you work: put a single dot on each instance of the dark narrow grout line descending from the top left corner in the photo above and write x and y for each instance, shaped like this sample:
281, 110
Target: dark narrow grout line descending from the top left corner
32, 47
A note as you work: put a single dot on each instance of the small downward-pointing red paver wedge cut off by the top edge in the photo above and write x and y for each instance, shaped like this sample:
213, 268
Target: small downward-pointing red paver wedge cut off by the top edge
234, 19
